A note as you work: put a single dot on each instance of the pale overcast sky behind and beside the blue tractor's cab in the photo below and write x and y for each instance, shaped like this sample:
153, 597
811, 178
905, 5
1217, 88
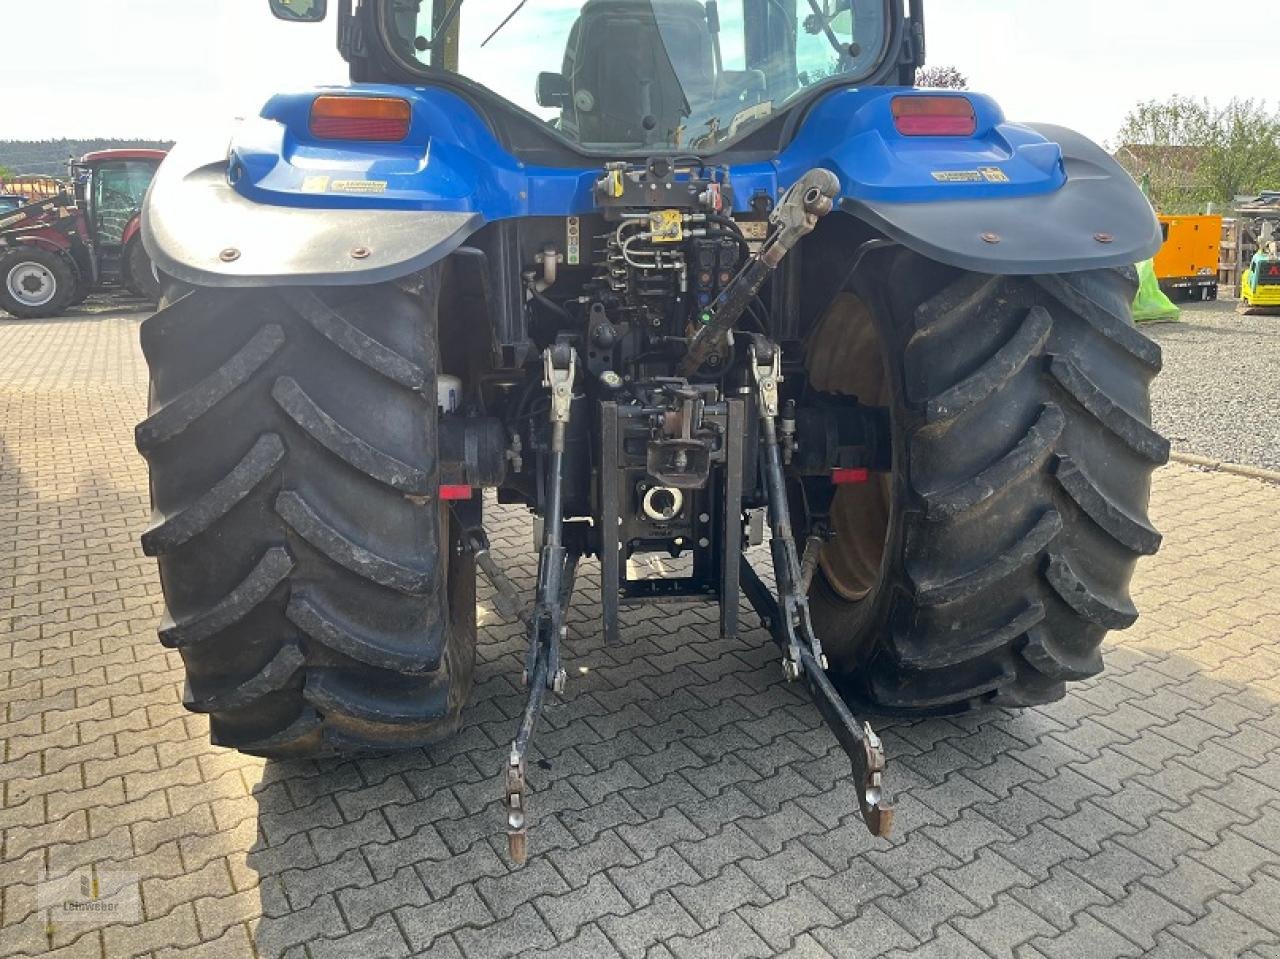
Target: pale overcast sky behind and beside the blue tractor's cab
163, 68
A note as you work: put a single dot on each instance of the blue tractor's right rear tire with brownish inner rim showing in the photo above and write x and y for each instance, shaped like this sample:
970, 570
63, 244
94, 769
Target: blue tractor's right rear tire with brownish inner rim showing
990, 564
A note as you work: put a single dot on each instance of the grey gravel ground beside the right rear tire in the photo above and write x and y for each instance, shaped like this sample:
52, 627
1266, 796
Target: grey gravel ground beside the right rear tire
1219, 394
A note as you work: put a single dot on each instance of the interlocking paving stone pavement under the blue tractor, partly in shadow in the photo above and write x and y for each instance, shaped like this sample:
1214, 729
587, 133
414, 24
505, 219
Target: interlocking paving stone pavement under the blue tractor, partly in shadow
688, 803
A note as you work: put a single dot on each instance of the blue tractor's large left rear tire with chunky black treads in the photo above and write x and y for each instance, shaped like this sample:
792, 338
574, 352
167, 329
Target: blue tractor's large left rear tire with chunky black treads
314, 583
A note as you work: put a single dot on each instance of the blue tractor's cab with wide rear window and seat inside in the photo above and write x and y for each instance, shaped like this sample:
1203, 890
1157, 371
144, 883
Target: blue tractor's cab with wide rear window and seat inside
629, 76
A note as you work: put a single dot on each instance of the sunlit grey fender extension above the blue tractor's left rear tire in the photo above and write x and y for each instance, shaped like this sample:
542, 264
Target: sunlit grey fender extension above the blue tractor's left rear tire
200, 231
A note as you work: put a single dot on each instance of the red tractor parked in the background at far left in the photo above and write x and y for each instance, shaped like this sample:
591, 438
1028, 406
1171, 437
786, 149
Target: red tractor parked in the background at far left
54, 253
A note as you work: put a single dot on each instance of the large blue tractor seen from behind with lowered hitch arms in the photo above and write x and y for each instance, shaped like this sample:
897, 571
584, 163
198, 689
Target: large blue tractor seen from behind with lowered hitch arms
668, 273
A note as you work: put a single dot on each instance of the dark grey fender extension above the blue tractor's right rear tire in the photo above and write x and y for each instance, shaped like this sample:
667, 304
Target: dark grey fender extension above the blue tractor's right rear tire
1099, 220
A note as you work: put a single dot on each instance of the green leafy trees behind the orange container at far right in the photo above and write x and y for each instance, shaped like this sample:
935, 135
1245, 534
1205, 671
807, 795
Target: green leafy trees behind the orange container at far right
1191, 152
